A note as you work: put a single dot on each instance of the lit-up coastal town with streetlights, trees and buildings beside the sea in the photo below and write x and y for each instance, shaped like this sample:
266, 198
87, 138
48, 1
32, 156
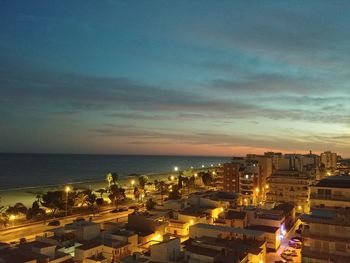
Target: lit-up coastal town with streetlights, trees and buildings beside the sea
273, 207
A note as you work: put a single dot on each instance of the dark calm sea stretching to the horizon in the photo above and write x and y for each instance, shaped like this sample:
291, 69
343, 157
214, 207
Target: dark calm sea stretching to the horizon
29, 170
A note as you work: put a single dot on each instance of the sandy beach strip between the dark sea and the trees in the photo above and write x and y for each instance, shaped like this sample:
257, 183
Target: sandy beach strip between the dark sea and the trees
27, 195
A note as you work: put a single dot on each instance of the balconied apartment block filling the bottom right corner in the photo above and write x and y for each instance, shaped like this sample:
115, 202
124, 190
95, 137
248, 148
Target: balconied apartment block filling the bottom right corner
326, 236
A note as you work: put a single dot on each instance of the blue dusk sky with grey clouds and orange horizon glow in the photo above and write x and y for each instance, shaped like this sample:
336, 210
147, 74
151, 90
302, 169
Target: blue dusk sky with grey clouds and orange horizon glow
174, 77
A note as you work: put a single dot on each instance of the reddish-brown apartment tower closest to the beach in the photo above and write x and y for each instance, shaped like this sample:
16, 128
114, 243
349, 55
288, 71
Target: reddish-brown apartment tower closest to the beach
229, 175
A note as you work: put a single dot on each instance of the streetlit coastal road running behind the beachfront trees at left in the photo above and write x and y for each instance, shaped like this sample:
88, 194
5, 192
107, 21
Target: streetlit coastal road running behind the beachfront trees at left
30, 231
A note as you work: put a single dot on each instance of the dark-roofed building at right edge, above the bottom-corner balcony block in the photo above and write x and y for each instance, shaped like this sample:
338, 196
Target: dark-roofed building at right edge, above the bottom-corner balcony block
331, 192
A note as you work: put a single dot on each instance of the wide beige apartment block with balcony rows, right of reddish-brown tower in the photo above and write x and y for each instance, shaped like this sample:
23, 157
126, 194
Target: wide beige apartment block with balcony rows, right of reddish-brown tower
290, 187
